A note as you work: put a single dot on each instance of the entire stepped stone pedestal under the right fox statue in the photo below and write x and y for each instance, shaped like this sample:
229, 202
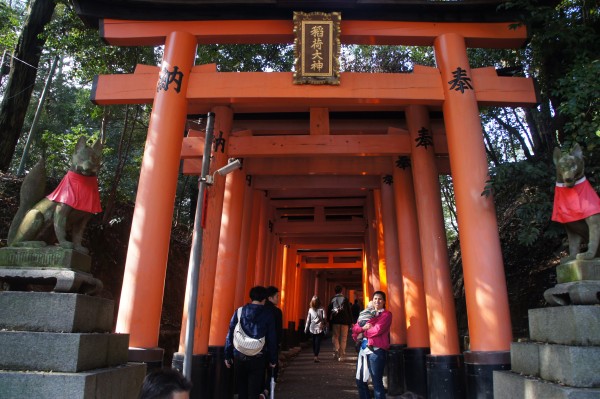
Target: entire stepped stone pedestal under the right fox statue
562, 357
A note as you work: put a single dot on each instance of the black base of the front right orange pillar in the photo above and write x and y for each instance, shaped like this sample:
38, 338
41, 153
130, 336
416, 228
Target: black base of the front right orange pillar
479, 368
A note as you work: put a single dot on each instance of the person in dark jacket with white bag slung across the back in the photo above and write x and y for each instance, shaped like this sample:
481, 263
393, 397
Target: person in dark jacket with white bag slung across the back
257, 321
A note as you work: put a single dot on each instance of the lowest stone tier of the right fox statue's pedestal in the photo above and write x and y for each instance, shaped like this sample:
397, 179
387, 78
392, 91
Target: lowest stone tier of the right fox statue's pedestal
510, 385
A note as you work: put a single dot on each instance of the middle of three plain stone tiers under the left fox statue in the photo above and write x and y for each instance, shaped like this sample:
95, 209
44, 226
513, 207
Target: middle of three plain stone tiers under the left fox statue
70, 353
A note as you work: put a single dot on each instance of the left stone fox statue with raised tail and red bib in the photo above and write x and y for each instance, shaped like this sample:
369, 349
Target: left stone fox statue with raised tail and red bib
70, 206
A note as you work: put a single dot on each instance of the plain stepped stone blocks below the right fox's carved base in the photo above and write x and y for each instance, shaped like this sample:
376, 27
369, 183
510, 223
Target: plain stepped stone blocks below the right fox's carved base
559, 361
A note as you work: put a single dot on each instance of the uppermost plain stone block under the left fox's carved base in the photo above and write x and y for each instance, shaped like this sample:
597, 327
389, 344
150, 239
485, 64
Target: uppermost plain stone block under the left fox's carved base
55, 312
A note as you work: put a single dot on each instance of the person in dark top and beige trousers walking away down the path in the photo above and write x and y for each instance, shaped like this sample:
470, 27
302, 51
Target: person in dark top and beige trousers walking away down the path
340, 319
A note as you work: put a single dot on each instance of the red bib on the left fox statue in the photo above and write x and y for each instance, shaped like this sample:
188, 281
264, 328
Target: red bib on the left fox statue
79, 192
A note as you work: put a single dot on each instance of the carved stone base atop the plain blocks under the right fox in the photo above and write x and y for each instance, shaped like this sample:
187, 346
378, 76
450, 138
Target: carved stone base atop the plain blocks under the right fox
575, 293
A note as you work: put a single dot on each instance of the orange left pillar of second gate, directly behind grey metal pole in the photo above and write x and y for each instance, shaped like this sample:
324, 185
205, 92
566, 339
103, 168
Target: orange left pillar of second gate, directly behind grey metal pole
210, 239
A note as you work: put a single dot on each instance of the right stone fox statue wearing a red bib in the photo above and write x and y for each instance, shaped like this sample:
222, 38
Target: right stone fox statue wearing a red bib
576, 204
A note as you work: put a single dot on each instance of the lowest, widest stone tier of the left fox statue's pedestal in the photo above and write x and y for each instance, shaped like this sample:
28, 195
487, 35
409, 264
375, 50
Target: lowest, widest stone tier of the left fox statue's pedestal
108, 383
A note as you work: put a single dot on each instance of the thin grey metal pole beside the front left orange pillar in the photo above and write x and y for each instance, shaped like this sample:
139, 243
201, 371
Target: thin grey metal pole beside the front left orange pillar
196, 251
